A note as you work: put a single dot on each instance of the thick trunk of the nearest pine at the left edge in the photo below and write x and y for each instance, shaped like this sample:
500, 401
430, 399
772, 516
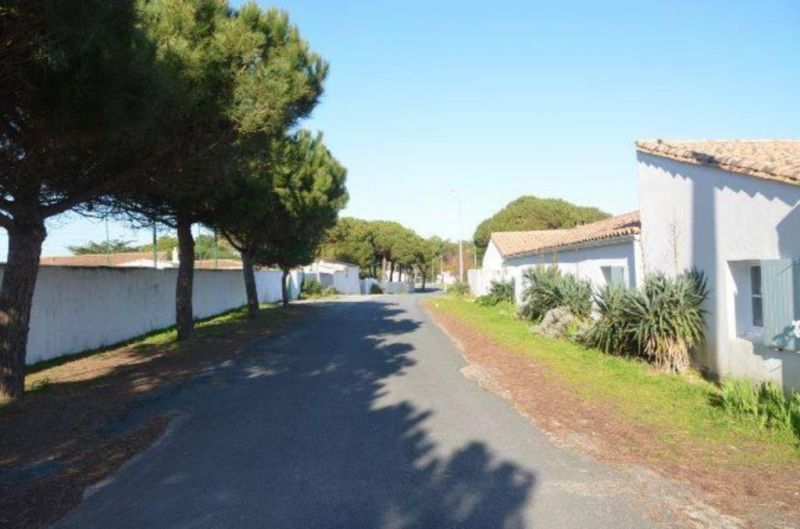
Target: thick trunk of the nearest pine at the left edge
16, 298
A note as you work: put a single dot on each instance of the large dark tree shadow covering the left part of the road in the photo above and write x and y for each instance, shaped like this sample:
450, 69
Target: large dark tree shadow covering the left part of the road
304, 433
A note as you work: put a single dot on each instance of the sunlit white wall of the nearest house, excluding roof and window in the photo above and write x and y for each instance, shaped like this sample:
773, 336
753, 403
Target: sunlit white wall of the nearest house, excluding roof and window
704, 217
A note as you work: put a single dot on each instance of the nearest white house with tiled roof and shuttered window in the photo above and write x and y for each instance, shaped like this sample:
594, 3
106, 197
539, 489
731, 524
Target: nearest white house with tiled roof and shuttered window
732, 210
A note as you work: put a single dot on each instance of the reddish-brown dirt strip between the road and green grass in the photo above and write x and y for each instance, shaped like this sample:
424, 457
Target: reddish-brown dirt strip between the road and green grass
766, 496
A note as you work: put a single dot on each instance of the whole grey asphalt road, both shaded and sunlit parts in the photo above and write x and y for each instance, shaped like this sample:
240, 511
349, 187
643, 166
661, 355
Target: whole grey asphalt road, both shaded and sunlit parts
357, 418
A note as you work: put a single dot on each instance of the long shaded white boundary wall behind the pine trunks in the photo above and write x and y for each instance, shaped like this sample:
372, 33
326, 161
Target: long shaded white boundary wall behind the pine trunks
79, 309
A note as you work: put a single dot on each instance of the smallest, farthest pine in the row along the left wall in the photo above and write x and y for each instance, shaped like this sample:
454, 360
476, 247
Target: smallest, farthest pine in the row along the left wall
309, 190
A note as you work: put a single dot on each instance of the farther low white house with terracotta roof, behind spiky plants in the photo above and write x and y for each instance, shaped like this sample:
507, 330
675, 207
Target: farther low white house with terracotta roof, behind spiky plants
601, 252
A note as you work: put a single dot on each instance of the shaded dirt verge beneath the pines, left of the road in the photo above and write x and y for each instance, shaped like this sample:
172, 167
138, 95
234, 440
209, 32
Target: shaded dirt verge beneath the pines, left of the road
61, 438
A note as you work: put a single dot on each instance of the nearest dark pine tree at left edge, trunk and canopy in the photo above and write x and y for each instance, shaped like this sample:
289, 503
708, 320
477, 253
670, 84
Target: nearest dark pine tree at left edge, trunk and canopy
79, 97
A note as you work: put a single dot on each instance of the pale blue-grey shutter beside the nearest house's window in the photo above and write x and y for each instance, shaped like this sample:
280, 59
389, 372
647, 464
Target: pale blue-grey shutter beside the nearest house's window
780, 282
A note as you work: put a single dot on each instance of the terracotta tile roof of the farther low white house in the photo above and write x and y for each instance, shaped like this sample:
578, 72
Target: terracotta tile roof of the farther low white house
516, 243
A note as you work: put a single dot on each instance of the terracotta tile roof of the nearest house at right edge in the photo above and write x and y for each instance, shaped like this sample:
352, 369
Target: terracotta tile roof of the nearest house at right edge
770, 159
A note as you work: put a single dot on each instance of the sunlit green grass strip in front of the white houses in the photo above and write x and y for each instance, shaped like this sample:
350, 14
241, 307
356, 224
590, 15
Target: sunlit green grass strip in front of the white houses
679, 409
